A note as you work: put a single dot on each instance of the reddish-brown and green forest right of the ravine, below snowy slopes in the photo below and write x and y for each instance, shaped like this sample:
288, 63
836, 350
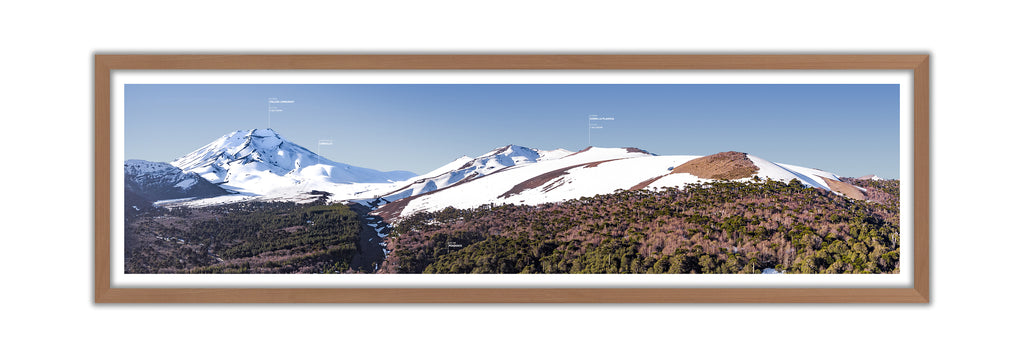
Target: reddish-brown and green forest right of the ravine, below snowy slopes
717, 228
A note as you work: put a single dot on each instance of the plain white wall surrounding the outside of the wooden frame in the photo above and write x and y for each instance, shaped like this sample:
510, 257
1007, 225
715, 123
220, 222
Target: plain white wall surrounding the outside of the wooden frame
47, 110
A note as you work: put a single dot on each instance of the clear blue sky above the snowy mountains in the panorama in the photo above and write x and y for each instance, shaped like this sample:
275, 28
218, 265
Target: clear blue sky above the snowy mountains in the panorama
851, 130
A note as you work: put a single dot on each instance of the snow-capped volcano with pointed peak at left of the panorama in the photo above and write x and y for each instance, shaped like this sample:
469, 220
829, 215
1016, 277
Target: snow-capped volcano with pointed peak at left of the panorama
260, 161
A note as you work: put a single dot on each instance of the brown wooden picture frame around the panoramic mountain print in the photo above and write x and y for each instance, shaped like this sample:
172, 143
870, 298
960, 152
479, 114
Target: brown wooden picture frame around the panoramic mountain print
107, 64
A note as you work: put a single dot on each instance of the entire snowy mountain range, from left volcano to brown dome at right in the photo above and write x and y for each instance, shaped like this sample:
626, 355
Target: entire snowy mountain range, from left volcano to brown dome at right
262, 165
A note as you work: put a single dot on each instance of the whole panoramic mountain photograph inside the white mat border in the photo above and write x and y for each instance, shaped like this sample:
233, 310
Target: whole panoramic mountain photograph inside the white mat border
511, 178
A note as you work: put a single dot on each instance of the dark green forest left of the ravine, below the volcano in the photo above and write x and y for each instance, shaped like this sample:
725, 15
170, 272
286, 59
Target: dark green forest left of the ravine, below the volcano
249, 238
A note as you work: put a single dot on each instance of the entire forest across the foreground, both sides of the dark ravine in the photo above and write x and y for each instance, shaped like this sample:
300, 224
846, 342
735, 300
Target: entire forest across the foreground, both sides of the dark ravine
715, 228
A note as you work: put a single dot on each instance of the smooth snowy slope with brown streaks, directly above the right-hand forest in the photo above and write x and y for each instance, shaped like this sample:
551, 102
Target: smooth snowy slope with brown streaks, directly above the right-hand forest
596, 171
